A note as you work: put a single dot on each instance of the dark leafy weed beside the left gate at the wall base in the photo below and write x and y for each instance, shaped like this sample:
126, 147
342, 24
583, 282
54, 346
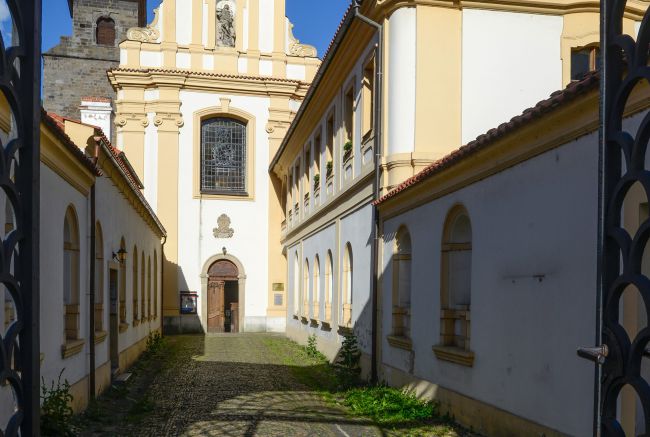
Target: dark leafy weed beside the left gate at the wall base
56, 412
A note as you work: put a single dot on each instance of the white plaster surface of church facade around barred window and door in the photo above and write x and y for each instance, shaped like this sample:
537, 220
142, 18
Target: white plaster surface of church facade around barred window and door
198, 218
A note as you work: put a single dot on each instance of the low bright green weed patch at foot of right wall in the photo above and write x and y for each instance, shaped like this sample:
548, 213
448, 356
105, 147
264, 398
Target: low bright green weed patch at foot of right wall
387, 405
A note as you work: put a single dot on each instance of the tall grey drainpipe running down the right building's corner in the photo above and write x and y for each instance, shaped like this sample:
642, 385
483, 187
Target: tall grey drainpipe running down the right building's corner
378, 119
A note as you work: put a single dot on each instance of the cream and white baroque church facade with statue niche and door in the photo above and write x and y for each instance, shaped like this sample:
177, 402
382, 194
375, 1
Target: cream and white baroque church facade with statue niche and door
205, 94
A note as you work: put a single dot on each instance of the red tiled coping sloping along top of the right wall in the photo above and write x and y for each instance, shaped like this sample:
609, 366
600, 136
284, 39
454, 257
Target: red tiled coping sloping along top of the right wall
556, 100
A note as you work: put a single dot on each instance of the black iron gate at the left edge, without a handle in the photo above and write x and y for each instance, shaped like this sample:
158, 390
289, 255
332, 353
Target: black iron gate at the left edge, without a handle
20, 78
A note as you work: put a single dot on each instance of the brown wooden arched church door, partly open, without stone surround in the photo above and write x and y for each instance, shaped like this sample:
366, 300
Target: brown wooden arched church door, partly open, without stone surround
223, 297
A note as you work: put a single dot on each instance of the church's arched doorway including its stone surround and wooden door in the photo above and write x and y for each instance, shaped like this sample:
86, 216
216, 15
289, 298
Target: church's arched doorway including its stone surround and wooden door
223, 282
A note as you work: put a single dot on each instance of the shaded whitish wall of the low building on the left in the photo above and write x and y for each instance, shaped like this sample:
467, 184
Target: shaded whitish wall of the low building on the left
118, 219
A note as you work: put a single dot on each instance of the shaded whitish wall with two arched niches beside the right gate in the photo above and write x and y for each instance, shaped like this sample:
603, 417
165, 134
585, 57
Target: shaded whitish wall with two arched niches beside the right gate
537, 218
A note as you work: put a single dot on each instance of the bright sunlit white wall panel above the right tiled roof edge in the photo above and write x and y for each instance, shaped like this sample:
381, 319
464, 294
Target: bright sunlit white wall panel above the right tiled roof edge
510, 62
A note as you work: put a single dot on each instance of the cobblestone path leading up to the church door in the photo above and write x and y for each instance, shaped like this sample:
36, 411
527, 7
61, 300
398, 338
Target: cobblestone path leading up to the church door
237, 385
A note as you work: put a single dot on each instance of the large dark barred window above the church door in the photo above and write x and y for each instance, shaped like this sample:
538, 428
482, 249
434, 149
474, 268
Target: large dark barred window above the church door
223, 156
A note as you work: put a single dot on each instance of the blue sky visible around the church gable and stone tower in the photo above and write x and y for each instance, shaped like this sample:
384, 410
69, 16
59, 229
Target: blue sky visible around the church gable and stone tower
315, 20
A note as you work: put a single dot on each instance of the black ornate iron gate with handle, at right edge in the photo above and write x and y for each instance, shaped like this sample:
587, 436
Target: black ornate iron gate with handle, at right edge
623, 157
